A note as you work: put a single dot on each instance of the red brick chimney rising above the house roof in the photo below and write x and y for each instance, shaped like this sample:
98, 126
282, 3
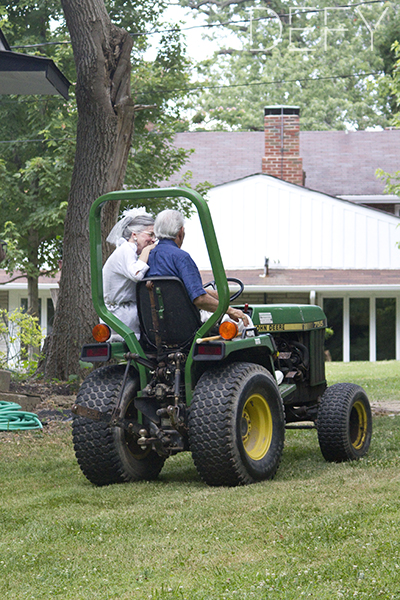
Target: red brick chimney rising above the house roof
282, 143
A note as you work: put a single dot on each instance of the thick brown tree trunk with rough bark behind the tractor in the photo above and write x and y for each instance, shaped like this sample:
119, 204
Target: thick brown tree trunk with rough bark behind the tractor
105, 127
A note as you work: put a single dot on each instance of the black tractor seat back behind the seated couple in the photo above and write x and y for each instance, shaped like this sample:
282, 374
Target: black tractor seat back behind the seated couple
167, 317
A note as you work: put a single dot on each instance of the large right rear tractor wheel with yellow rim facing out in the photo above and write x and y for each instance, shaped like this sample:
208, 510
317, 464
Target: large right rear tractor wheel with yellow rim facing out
236, 425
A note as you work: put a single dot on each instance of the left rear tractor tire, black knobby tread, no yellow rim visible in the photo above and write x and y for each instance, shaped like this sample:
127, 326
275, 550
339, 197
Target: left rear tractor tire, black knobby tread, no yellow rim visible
107, 454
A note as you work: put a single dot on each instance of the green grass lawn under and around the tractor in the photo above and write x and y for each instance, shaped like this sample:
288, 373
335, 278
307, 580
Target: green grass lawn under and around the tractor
318, 530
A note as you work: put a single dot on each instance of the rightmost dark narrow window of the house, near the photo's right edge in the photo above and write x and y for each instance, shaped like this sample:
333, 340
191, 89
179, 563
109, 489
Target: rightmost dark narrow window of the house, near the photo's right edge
385, 328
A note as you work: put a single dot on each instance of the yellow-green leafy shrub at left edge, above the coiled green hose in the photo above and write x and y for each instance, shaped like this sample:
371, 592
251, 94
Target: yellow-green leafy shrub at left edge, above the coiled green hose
19, 333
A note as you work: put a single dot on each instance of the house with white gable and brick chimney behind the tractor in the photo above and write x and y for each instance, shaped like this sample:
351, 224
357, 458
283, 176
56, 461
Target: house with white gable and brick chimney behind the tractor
310, 203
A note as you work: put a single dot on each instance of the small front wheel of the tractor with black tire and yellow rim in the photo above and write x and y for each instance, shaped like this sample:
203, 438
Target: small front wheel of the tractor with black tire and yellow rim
344, 423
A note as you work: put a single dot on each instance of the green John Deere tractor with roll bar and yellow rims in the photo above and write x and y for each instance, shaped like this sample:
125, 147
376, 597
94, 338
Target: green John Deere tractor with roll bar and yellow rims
186, 387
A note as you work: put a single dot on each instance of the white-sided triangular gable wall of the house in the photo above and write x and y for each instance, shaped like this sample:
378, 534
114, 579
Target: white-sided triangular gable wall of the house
294, 227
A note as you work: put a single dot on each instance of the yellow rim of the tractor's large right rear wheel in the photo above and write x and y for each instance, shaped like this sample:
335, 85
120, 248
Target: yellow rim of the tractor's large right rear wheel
256, 427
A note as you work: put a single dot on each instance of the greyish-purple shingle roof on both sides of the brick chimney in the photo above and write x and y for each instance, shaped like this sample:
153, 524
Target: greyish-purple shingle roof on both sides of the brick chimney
336, 163
